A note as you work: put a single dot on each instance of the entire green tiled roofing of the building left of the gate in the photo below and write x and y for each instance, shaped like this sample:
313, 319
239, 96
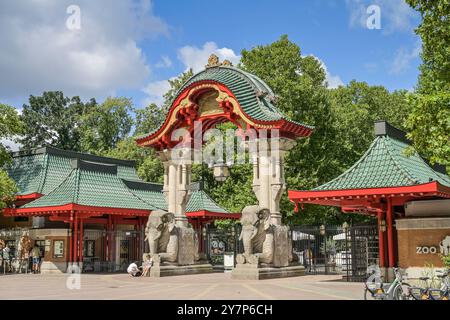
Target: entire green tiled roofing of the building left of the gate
65, 177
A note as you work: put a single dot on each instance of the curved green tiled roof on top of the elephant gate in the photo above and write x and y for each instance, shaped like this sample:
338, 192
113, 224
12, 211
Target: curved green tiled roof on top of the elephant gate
253, 94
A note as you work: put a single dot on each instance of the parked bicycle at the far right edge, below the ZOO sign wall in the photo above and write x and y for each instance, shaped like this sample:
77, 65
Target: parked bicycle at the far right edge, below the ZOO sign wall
429, 293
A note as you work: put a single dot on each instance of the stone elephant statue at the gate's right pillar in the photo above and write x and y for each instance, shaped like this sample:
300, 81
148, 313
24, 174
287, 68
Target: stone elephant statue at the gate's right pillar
257, 236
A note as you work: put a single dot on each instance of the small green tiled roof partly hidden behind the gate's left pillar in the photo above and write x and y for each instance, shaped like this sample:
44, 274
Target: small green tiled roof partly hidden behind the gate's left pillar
152, 193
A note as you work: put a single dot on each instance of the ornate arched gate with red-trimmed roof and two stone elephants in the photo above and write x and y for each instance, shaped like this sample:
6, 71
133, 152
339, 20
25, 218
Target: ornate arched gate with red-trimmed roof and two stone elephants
189, 135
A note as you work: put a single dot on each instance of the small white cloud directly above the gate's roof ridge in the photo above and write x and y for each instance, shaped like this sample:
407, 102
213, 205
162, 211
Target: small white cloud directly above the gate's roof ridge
196, 58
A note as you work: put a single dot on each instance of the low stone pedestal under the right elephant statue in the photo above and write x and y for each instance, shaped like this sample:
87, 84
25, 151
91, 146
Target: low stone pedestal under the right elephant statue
253, 272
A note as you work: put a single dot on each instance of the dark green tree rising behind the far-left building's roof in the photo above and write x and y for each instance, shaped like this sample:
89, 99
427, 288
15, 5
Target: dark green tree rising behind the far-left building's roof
53, 119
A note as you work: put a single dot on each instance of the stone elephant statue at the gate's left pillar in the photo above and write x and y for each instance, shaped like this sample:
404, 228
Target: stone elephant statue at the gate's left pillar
162, 236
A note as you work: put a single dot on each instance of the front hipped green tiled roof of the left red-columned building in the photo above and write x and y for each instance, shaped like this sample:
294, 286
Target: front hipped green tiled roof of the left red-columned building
90, 185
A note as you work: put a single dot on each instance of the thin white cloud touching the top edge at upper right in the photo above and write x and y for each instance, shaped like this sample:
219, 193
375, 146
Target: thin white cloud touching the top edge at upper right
396, 15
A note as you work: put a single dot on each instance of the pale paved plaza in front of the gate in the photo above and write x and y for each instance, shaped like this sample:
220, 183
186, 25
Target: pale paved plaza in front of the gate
213, 286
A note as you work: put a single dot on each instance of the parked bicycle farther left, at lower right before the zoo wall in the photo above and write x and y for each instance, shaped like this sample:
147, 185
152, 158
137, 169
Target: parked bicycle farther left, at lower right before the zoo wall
397, 290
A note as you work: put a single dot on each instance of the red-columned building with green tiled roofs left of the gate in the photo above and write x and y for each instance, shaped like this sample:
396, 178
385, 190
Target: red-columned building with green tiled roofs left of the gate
89, 210
